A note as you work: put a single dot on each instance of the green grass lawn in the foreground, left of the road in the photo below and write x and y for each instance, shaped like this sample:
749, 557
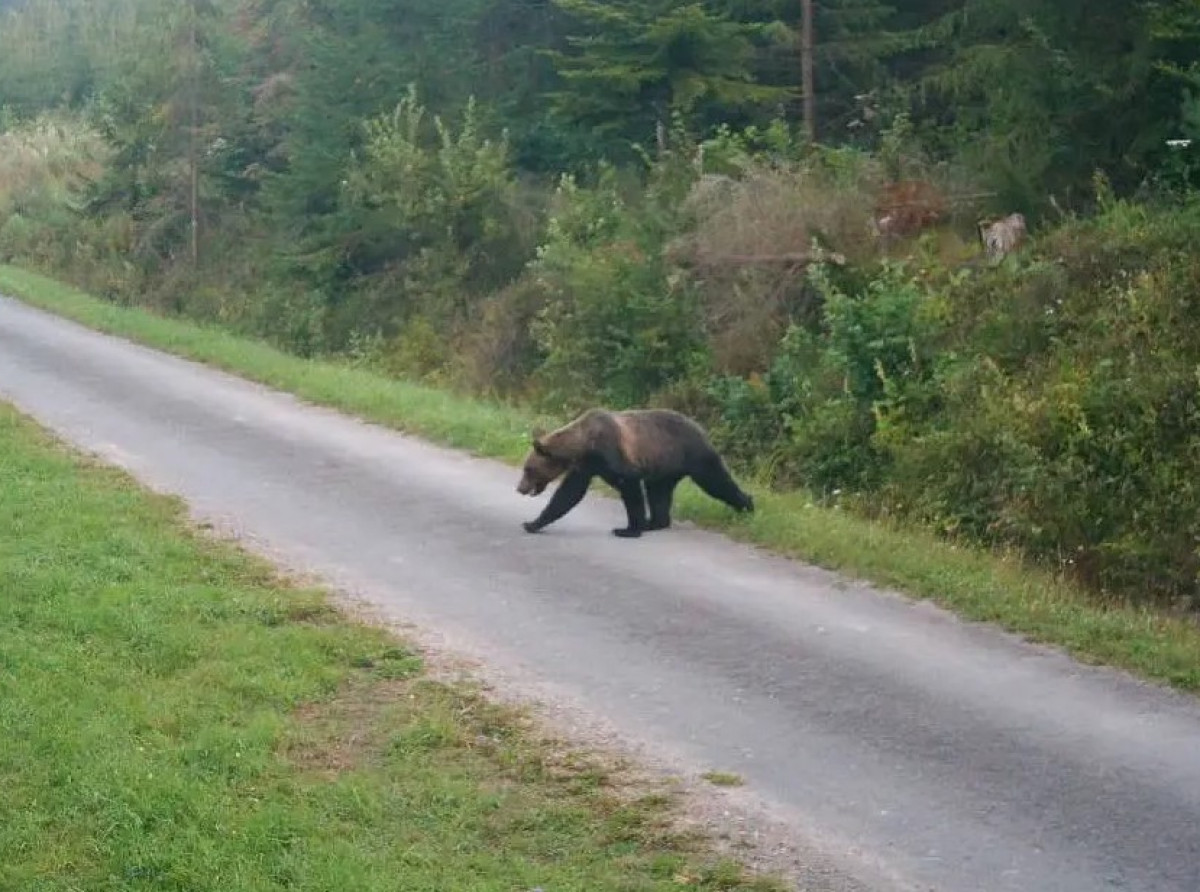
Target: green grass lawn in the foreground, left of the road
177, 719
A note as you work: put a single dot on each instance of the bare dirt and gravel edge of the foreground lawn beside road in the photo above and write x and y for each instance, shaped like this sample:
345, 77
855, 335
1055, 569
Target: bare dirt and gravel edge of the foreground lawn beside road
535, 738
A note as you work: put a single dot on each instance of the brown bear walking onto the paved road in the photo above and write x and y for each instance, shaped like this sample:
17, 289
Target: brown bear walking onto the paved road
627, 450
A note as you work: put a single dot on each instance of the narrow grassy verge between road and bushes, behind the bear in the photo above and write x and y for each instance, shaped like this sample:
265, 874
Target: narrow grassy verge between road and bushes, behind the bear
976, 584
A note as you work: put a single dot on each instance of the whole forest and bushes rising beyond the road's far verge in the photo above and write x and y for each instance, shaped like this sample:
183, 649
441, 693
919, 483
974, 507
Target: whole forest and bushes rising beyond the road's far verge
565, 203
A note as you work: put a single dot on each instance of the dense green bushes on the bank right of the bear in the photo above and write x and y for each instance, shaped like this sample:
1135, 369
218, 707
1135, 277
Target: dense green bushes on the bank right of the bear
1051, 404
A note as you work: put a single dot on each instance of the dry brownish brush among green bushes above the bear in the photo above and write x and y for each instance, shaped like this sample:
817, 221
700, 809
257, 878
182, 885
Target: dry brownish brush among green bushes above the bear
751, 238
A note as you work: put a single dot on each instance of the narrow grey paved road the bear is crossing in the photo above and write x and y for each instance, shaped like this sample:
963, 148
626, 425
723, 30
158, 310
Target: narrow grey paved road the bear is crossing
913, 751
